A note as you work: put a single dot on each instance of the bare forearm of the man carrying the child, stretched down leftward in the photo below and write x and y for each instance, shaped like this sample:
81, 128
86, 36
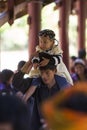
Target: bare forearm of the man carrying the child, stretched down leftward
29, 93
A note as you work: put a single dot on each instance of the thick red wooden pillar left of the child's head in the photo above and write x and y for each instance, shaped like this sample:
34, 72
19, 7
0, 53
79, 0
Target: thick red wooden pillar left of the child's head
34, 21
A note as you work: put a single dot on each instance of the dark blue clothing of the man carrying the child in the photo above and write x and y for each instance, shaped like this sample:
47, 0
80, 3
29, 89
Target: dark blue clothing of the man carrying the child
43, 93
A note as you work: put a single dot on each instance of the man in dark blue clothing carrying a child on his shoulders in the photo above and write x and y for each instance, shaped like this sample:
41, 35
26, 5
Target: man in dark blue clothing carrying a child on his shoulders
48, 85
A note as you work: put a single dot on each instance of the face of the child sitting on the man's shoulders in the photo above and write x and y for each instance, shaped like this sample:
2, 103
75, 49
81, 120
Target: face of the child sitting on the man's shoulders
45, 43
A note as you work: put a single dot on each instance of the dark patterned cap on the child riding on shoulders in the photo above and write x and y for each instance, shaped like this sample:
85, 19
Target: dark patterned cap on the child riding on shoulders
47, 32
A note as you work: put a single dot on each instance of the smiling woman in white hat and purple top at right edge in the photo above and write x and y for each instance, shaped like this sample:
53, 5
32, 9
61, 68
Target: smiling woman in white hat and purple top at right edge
80, 71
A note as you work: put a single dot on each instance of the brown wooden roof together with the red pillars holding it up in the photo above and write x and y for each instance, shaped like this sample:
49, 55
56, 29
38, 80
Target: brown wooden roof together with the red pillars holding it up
13, 9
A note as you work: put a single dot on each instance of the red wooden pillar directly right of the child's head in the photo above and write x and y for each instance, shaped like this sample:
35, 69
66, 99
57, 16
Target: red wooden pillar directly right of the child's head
64, 12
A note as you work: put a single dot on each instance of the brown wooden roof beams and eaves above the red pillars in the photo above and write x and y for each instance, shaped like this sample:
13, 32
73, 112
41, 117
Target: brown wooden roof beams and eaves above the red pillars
13, 9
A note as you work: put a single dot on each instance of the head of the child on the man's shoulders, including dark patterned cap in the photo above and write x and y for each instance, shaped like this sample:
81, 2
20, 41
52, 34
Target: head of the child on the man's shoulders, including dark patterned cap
46, 39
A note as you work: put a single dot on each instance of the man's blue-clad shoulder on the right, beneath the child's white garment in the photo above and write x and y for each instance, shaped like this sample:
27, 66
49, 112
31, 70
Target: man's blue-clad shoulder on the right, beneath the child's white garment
62, 82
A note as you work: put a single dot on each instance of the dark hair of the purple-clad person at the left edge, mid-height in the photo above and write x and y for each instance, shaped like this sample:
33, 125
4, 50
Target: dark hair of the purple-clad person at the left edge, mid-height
6, 74
